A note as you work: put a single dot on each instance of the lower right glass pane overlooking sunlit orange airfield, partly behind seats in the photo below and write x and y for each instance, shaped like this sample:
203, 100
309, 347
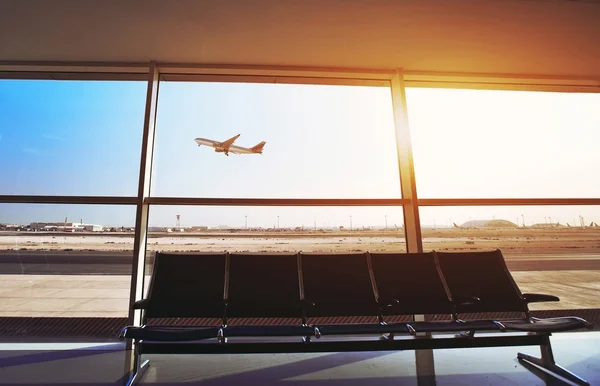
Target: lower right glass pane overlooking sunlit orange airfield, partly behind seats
548, 249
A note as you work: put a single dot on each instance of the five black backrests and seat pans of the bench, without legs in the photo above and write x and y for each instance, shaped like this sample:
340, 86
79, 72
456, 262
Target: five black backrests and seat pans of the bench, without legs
303, 286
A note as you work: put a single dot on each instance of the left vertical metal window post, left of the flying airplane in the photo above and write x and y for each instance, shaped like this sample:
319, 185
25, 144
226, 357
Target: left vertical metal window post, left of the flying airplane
142, 212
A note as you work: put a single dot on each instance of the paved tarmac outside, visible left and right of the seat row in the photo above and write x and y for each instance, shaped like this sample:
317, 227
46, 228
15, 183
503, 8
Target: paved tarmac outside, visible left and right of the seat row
97, 284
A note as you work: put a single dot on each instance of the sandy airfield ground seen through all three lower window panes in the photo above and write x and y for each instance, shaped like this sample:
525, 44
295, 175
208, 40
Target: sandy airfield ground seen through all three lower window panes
564, 262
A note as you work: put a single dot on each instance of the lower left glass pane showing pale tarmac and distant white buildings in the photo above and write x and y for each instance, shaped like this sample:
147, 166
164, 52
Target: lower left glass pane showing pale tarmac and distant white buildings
65, 260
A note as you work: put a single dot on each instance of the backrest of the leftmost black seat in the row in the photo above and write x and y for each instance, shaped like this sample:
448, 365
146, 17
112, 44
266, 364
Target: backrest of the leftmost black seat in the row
187, 285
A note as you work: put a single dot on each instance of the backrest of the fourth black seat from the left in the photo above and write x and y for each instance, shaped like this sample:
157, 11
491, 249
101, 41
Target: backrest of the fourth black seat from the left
414, 280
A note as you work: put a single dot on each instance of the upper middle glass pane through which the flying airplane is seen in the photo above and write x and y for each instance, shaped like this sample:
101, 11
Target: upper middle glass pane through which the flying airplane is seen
321, 141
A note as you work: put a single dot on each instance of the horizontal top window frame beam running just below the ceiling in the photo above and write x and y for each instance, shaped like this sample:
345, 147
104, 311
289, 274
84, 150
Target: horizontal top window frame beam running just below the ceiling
432, 79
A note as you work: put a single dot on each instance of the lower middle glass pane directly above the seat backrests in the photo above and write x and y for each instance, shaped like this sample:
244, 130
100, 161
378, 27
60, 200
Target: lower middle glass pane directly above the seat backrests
273, 229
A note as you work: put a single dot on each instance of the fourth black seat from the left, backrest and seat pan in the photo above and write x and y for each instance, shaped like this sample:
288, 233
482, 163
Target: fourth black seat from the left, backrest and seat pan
409, 284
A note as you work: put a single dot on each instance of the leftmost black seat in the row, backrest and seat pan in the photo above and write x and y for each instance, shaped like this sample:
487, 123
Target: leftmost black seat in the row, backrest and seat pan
182, 286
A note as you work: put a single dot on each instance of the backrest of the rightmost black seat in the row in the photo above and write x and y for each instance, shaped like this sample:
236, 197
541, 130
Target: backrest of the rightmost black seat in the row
483, 275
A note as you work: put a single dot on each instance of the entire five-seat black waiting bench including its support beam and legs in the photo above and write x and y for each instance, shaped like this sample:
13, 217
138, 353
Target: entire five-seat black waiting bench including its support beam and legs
317, 291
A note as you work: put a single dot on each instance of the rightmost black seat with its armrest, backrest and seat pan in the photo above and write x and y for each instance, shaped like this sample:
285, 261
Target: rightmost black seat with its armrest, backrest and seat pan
485, 276
